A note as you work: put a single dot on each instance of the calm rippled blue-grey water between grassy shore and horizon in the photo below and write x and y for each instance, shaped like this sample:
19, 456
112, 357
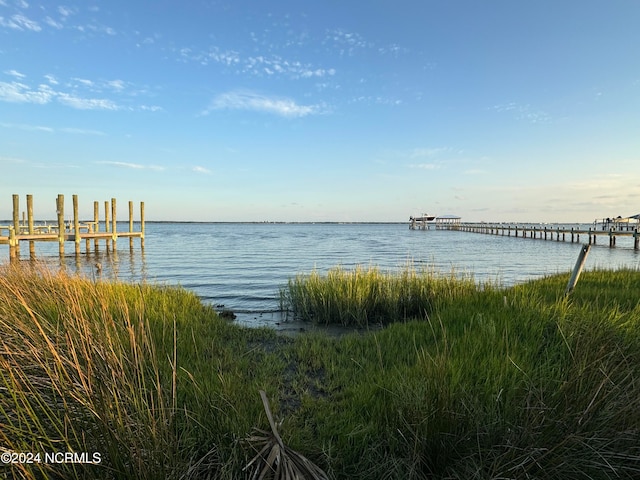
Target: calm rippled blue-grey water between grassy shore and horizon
243, 266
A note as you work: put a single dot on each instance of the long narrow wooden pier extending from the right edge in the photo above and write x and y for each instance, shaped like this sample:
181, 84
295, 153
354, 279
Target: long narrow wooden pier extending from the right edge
552, 233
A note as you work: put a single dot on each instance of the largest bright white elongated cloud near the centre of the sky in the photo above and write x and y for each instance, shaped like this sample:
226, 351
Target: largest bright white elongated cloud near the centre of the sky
245, 100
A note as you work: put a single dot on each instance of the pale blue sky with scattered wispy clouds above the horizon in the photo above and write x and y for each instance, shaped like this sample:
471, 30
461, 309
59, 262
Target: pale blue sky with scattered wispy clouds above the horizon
323, 110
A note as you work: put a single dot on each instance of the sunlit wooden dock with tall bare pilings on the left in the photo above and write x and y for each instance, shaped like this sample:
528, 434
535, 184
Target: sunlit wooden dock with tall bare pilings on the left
76, 231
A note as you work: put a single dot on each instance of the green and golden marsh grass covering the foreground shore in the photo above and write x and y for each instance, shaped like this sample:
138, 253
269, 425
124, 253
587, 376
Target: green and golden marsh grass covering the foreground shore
486, 382
